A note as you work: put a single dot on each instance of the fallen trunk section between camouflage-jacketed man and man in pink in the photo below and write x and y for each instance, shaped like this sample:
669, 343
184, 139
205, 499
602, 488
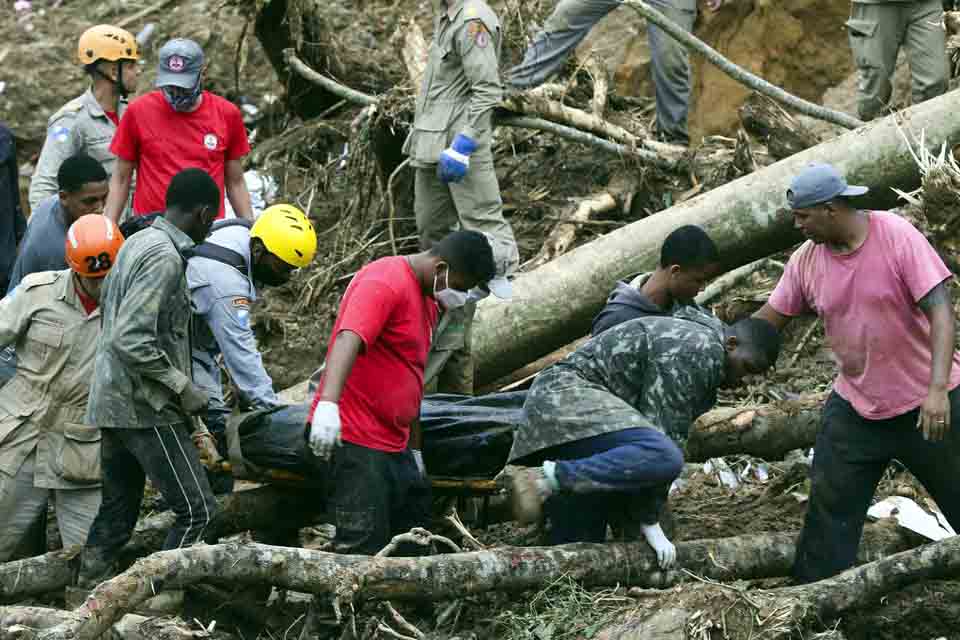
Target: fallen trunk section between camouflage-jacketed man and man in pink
767, 431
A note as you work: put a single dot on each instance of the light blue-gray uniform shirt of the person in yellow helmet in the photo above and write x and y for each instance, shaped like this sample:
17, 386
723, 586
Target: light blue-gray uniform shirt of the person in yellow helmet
222, 296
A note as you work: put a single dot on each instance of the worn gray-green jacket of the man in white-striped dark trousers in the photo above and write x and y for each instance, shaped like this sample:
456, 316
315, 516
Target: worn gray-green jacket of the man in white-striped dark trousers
143, 357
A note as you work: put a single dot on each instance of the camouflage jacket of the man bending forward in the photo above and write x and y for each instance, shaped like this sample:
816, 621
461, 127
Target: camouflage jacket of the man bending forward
655, 372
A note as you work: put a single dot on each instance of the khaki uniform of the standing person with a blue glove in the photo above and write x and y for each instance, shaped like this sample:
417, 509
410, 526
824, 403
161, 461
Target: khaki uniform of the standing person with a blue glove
461, 87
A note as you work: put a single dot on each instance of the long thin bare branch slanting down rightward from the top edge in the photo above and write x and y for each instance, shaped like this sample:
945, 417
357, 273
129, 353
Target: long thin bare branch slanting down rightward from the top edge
740, 74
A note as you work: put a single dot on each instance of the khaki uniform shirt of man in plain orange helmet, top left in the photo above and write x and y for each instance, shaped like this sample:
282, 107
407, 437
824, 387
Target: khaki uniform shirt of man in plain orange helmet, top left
78, 126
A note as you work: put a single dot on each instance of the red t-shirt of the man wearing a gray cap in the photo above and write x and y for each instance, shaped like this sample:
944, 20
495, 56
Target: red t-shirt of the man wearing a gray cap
162, 142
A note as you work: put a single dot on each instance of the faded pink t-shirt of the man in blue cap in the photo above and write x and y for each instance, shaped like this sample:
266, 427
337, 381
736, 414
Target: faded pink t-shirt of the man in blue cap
868, 302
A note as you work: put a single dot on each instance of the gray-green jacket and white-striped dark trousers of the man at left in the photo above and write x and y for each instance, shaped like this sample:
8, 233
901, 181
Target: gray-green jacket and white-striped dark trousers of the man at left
141, 368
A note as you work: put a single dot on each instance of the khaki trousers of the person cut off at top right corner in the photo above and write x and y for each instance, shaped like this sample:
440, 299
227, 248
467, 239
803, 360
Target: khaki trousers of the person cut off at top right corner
877, 31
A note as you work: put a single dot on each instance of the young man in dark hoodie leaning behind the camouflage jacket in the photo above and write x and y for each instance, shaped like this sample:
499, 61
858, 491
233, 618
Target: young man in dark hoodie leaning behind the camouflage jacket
688, 260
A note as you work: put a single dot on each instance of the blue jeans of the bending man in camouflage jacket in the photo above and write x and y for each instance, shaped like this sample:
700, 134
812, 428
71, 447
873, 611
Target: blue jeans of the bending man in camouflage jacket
620, 478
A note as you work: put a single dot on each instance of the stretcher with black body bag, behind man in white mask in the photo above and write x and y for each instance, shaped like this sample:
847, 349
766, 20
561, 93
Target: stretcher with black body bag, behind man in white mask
466, 442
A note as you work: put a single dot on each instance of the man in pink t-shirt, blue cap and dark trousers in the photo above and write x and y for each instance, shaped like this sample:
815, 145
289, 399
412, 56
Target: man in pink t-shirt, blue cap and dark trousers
882, 293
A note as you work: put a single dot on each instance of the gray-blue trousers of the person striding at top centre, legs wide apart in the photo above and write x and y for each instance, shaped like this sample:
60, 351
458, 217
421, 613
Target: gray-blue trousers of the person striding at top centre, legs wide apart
570, 23
